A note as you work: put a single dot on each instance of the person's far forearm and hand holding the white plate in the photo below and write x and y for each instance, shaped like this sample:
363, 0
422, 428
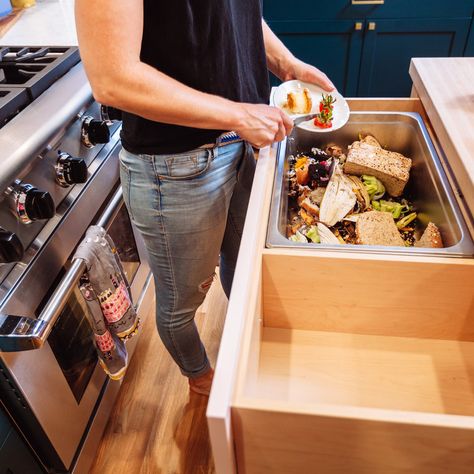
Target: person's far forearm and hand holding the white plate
284, 65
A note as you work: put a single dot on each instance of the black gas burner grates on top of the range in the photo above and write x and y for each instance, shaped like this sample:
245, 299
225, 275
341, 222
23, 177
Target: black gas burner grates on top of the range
35, 68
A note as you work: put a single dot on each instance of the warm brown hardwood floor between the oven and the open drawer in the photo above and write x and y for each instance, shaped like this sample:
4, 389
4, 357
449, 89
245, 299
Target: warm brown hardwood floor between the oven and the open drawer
157, 426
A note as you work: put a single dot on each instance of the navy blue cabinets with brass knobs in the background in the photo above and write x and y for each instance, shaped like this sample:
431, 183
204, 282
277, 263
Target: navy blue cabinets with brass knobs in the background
366, 49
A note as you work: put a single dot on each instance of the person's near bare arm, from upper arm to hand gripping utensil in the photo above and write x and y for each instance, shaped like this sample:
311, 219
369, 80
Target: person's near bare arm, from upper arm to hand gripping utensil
110, 34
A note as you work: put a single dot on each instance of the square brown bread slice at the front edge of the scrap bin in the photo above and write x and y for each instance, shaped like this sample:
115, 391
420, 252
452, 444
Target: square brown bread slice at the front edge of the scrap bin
377, 228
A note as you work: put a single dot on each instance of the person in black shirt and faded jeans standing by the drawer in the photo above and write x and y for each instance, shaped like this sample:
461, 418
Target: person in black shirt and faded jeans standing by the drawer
185, 72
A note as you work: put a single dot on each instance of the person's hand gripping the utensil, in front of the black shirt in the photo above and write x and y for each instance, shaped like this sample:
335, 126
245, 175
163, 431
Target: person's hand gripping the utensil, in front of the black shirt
261, 125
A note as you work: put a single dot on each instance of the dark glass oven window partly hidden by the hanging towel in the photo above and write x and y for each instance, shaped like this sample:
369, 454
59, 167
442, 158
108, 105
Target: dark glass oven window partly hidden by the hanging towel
71, 339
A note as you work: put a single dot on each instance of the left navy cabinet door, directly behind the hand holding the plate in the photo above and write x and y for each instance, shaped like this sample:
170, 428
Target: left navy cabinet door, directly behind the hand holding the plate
332, 46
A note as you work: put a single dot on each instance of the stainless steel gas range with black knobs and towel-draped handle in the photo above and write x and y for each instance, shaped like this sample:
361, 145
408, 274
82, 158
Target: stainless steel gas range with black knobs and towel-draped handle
58, 175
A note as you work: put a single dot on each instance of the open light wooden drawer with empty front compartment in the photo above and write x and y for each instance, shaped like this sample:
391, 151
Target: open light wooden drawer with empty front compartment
335, 362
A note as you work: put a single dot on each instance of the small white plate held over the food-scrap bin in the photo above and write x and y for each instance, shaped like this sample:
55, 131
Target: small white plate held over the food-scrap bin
341, 110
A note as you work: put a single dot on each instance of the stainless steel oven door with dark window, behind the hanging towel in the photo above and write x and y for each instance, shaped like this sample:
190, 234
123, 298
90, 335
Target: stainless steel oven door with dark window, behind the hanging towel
55, 390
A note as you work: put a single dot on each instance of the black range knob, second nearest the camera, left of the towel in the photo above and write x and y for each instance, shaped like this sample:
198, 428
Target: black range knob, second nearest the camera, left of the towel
31, 204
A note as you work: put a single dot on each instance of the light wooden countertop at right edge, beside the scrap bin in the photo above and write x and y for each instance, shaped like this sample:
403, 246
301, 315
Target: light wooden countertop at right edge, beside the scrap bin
446, 88
